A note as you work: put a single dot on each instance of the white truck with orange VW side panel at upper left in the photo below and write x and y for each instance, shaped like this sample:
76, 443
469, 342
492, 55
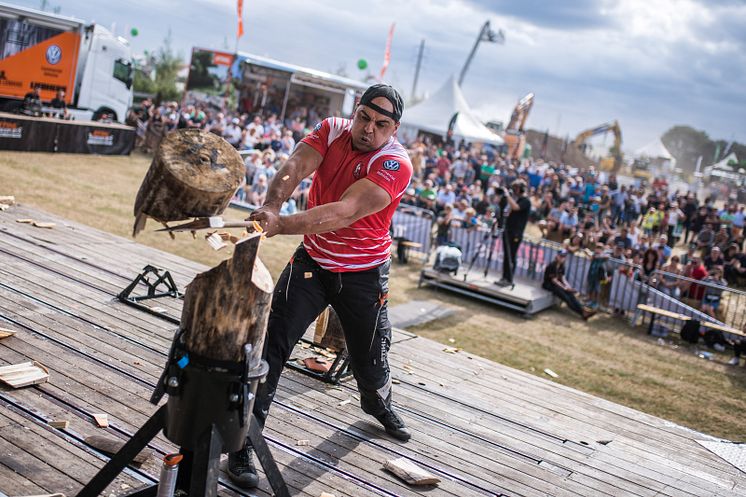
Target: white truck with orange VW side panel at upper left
53, 52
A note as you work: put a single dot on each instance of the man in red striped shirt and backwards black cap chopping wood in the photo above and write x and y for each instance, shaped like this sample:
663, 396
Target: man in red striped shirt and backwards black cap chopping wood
360, 173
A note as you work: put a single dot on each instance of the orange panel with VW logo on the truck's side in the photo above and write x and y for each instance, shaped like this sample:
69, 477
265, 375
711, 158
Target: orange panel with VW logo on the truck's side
50, 64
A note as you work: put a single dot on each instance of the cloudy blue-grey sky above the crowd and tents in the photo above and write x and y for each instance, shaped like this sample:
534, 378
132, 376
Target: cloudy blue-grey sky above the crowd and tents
650, 64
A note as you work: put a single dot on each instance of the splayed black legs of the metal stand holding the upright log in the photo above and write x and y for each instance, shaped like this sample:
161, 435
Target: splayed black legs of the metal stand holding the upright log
198, 471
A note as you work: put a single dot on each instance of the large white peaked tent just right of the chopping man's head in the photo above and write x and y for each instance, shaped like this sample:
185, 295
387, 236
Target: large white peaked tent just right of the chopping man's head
434, 114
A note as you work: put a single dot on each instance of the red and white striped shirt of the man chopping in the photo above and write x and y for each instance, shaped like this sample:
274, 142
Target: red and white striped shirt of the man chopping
366, 243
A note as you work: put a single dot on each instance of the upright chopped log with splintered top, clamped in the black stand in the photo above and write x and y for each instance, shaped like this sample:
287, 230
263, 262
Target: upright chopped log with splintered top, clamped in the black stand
228, 306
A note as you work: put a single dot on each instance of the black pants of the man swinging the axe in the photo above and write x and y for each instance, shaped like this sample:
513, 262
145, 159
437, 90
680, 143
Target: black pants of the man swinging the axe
360, 300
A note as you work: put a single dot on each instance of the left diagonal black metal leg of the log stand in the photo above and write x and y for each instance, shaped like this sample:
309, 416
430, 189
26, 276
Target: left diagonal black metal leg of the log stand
126, 454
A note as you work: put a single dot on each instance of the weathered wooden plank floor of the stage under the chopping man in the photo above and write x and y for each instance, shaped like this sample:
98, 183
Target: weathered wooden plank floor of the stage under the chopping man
485, 429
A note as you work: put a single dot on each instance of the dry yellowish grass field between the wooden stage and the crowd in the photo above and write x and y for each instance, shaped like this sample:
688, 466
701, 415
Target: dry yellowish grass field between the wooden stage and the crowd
604, 357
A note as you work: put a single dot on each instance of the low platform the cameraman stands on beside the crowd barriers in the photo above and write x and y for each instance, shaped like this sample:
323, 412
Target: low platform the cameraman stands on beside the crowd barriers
526, 296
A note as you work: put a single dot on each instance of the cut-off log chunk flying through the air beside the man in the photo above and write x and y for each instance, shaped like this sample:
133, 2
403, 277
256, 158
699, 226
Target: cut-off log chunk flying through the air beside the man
193, 174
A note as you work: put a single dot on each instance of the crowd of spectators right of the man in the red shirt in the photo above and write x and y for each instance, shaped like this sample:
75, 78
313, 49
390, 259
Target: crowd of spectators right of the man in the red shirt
670, 238
